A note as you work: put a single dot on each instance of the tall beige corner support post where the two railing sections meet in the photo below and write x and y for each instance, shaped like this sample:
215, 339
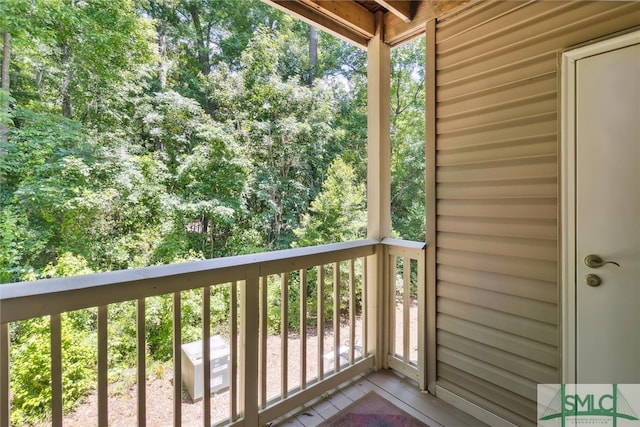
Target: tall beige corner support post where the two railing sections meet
378, 181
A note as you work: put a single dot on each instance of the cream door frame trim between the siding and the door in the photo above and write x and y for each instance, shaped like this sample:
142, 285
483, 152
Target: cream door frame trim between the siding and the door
568, 192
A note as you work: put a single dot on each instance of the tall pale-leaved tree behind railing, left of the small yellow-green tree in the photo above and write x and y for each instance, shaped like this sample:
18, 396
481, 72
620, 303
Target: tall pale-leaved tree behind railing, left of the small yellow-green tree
287, 129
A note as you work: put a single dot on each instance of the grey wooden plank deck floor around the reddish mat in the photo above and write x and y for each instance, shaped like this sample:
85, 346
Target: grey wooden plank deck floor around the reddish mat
399, 390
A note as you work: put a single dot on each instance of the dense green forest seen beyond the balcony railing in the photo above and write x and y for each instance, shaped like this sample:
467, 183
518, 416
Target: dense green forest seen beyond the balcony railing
144, 132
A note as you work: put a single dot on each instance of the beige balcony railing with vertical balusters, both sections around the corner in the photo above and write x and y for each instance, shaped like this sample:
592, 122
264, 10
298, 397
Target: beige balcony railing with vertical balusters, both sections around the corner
331, 277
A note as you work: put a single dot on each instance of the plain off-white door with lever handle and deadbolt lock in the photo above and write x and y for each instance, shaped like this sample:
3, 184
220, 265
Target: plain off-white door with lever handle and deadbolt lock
607, 218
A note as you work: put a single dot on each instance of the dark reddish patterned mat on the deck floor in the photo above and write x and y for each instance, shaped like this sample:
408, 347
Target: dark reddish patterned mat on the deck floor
372, 410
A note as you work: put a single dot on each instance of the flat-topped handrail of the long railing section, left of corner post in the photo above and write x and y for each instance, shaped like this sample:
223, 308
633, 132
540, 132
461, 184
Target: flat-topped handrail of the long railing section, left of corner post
26, 300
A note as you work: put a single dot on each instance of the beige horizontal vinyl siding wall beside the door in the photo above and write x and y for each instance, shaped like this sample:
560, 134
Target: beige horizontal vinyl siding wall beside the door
497, 194
